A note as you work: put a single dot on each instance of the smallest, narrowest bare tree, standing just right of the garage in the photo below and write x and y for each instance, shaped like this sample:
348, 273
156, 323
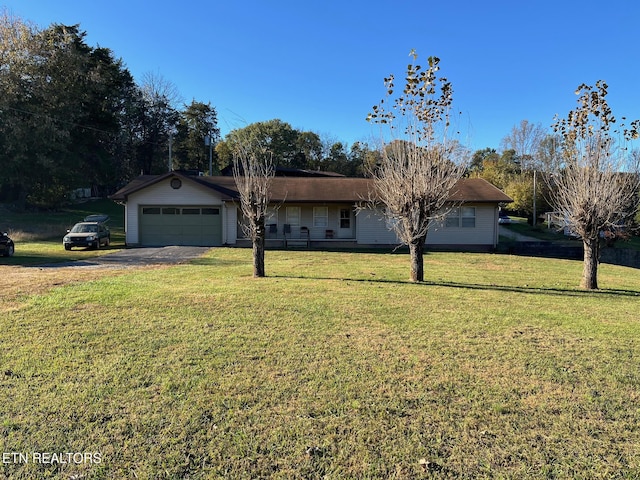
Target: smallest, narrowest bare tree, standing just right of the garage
253, 172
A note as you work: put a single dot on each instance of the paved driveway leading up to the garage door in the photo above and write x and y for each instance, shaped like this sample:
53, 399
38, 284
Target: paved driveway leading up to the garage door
138, 257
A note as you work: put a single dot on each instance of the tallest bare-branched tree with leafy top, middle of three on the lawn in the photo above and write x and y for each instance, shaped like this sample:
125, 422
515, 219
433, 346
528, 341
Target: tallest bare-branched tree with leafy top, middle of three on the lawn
418, 168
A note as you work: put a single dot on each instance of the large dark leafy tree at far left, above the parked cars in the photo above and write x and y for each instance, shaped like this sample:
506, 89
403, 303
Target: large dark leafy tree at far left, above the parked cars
60, 106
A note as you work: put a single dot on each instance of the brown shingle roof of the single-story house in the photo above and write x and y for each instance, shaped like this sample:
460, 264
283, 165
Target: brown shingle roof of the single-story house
317, 189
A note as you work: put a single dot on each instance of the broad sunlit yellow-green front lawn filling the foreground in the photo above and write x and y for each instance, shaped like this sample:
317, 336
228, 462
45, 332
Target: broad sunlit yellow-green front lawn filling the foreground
332, 367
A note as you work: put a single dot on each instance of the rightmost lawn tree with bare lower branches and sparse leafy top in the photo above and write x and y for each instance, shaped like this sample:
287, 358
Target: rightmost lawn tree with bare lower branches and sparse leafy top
596, 179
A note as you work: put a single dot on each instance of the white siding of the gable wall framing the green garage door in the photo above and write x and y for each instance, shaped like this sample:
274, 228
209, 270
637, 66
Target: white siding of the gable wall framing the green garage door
161, 193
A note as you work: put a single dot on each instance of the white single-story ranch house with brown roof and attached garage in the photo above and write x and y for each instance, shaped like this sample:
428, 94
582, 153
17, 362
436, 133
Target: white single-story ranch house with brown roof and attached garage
176, 208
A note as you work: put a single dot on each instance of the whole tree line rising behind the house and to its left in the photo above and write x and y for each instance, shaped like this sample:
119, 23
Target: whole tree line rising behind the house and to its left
72, 115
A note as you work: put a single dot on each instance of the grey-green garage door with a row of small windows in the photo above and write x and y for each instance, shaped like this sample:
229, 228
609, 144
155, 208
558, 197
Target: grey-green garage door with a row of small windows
180, 225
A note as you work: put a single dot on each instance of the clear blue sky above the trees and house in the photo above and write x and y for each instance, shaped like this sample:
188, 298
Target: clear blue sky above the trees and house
319, 65
